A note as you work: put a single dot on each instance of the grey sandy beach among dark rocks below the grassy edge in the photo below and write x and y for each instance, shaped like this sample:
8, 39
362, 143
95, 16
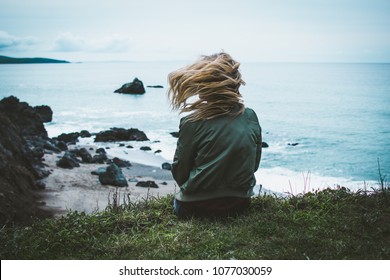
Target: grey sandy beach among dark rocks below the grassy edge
78, 189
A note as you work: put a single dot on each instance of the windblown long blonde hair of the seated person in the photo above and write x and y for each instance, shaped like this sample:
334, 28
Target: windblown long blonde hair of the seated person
214, 80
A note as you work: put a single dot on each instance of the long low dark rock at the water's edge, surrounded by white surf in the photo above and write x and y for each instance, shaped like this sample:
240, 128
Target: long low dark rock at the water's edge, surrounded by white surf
121, 134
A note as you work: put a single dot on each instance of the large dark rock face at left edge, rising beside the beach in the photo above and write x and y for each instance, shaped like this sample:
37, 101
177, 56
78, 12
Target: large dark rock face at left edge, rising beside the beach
22, 136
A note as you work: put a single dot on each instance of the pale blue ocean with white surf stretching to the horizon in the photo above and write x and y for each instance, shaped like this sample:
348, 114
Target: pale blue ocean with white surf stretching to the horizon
327, 125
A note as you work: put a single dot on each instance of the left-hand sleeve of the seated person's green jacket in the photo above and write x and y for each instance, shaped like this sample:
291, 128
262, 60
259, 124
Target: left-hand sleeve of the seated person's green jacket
184, 158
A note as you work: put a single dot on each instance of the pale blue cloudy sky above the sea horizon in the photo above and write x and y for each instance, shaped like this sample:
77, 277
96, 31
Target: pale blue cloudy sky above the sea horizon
163, 30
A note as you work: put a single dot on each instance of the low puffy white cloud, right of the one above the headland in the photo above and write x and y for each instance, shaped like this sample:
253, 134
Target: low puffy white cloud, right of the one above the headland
67, 42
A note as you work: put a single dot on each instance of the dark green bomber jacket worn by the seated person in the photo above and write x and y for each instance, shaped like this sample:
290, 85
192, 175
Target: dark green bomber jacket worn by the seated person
218, 157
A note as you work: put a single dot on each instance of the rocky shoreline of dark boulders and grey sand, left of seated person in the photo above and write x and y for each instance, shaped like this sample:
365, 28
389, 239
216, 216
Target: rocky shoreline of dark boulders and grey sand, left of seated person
36, 171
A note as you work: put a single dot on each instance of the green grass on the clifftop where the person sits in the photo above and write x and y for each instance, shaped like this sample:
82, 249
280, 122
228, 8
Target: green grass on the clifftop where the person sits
328, 224
